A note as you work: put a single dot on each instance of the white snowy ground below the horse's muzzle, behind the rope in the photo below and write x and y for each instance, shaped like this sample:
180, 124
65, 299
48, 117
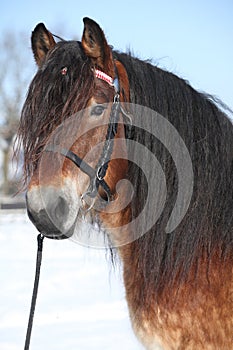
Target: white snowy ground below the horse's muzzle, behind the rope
80, 303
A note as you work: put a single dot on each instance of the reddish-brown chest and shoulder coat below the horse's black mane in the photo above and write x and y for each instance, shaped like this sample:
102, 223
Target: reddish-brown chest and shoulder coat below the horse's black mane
195, 314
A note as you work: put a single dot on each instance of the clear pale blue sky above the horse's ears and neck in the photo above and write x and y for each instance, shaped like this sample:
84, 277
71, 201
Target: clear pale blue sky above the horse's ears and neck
193, 39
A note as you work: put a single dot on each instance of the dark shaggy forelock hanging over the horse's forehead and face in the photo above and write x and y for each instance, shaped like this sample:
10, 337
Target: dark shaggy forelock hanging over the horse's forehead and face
61, 87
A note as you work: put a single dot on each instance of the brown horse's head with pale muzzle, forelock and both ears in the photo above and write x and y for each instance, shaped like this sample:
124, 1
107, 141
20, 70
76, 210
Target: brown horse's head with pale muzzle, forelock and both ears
72, 128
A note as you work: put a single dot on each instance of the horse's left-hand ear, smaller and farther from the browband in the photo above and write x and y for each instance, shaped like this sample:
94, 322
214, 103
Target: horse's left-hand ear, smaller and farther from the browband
42, 41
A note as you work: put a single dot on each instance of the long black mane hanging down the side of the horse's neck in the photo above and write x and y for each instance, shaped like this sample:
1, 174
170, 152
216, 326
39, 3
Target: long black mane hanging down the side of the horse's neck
206, 229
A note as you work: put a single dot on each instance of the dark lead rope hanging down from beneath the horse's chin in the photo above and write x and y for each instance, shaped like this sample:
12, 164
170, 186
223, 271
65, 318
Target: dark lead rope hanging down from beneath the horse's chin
40, 239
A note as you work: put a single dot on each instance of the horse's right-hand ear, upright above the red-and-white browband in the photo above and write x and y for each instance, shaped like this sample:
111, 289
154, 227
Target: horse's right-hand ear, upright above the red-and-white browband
96, 47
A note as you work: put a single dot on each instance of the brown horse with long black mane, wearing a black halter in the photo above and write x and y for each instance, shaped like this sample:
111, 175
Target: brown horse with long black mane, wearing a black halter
114, 140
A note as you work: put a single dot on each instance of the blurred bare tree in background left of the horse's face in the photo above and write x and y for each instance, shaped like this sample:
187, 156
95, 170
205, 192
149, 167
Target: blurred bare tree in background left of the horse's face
16, 69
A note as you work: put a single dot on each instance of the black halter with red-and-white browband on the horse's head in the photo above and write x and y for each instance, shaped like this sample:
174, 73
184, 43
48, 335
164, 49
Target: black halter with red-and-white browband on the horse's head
98, 173
